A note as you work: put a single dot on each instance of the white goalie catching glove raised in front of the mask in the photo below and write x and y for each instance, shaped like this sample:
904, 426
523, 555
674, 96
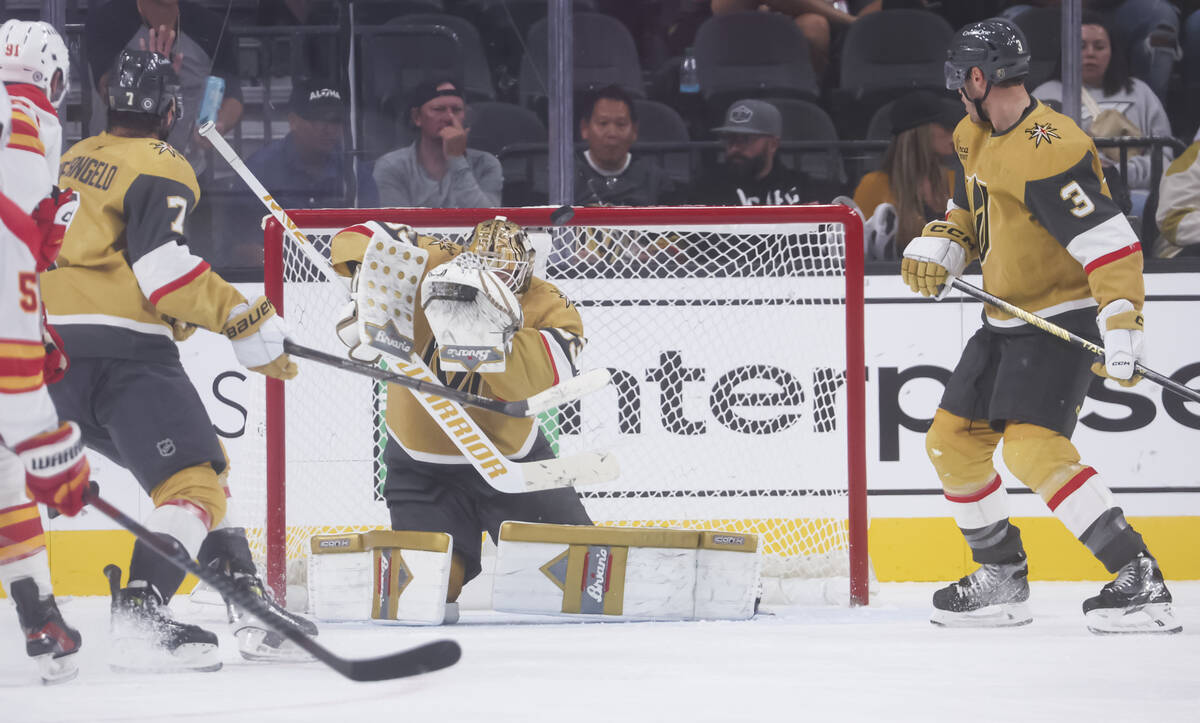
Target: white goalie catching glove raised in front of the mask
472, 313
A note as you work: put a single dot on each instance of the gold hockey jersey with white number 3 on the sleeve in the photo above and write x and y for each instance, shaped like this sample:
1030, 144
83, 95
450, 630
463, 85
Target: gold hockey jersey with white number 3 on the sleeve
1041, 219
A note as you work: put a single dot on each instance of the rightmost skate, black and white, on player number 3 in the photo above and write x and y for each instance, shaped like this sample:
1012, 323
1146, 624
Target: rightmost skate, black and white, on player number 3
1137, 602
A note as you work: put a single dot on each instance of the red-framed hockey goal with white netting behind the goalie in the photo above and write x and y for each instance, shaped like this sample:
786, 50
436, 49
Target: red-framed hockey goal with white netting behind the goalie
729, 331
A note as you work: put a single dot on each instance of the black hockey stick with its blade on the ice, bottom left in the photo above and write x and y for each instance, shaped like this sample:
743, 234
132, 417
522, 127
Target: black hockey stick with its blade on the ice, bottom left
415, 661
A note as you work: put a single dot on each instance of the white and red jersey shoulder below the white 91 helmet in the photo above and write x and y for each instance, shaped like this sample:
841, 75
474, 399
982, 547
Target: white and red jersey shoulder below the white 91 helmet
29, 166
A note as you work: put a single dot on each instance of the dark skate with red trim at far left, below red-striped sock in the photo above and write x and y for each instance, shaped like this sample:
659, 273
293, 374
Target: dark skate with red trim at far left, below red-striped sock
51, 642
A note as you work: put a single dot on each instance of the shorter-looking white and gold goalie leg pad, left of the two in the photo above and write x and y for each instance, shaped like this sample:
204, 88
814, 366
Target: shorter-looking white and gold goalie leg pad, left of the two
382, 577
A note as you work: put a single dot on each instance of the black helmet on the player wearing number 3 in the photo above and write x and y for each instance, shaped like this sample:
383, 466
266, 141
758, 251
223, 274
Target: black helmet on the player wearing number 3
995, 46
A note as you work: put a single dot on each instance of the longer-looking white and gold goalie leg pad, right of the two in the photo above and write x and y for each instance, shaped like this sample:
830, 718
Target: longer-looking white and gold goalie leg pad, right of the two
626, 573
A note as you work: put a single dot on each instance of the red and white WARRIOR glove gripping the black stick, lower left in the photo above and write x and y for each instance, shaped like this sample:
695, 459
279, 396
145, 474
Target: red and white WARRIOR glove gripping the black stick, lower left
57, 469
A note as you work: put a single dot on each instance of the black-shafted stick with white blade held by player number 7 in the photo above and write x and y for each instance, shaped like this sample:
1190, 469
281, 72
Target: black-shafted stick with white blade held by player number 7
560, 395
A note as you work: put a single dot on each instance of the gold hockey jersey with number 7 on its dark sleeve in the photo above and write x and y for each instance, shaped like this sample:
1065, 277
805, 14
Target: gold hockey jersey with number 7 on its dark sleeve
125, 261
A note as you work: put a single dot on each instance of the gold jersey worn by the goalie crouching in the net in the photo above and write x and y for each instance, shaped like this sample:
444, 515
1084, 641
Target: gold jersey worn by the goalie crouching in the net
544, 354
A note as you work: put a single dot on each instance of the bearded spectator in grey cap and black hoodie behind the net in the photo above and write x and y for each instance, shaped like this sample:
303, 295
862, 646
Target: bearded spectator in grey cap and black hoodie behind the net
752, 175
